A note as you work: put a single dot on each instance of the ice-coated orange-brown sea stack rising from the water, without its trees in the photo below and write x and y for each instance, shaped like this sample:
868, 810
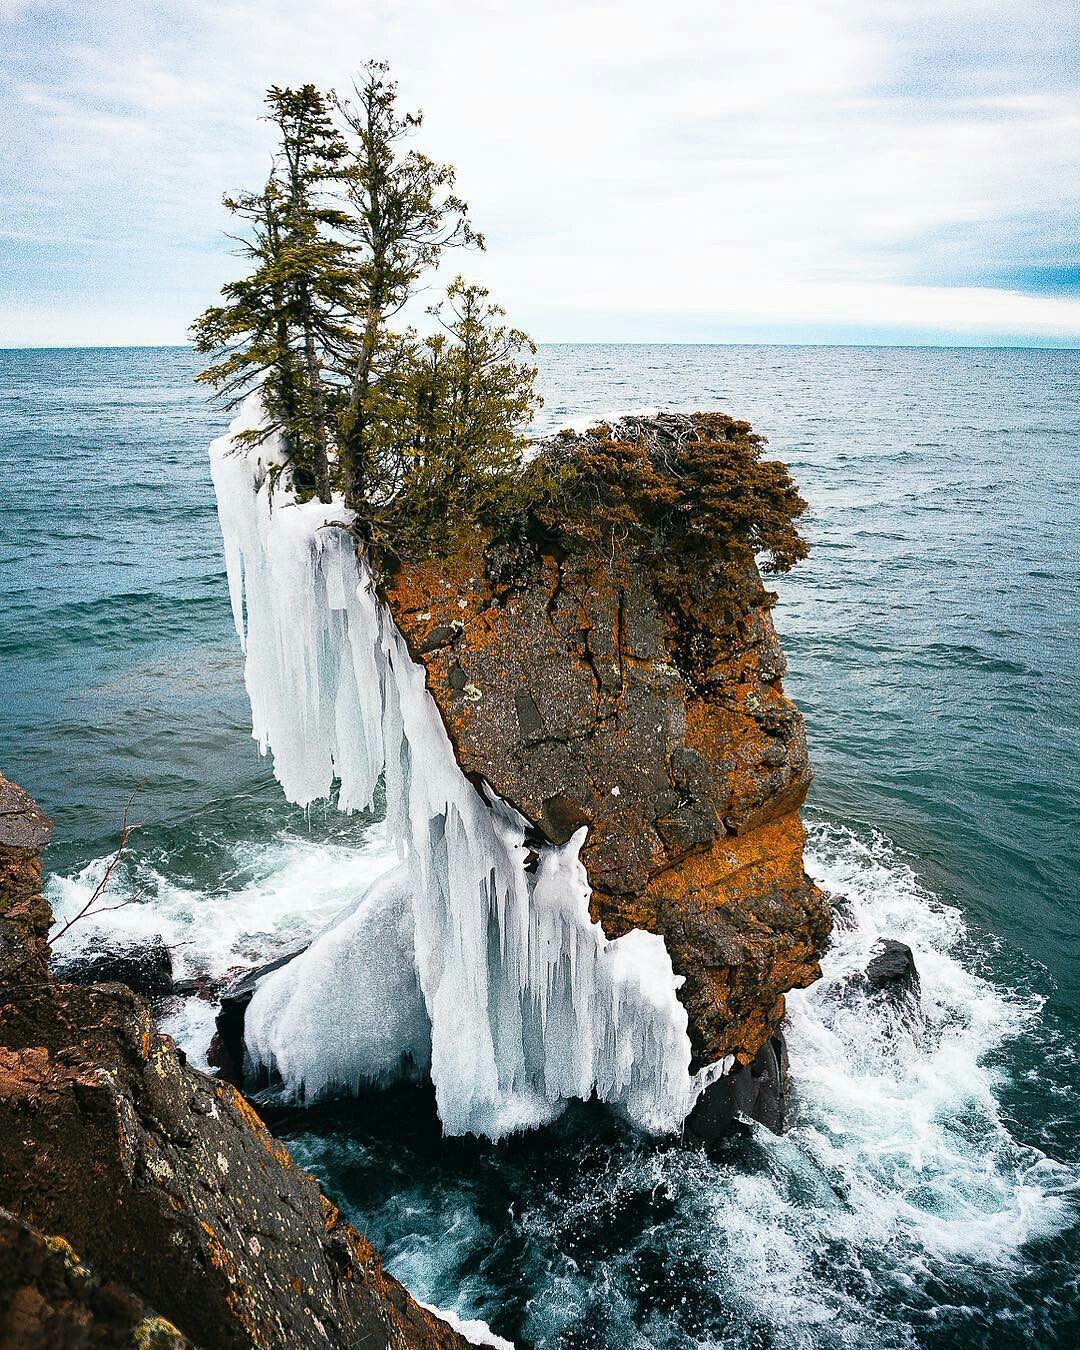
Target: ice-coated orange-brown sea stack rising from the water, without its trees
591, 772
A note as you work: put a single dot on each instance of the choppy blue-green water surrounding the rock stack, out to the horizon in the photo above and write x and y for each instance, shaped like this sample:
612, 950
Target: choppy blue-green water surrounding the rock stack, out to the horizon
928, 1191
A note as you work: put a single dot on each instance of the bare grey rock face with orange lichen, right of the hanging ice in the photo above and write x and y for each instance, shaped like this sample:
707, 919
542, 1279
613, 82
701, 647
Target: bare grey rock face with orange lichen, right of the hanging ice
587, 697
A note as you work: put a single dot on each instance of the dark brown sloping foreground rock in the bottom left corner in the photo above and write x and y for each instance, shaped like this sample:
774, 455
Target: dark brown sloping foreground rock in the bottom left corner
163, 1179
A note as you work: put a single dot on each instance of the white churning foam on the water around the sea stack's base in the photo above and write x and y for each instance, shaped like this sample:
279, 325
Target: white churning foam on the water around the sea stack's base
900, 1171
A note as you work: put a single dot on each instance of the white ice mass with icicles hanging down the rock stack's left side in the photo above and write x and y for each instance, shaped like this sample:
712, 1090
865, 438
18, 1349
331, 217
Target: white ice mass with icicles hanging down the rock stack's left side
458, 961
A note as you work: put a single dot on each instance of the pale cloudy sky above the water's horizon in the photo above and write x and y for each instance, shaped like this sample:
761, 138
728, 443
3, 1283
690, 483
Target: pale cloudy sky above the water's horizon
696, 171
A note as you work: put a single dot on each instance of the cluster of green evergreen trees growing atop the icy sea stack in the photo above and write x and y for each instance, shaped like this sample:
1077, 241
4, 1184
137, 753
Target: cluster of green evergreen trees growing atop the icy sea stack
422, 434
